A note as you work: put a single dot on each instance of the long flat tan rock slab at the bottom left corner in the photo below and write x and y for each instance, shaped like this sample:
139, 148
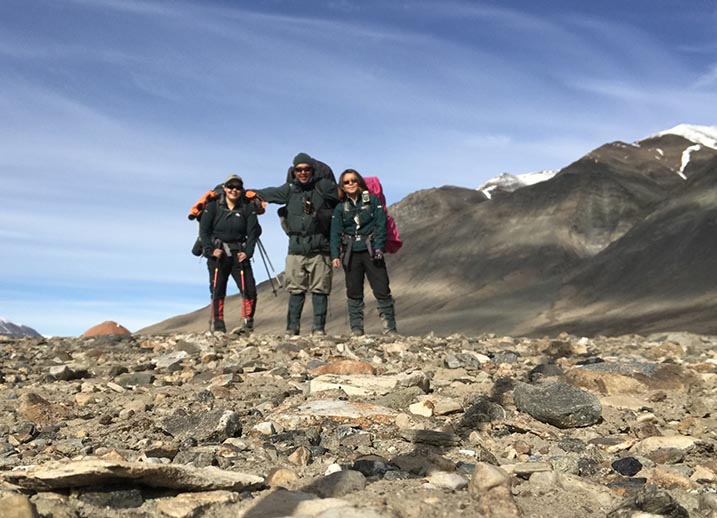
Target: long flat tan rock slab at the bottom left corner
96, 472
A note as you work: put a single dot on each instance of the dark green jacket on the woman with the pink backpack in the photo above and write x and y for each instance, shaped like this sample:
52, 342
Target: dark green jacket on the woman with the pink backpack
358, 219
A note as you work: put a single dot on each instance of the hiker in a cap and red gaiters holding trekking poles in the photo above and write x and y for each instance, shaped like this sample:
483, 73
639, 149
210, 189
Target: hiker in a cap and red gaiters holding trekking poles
229, 230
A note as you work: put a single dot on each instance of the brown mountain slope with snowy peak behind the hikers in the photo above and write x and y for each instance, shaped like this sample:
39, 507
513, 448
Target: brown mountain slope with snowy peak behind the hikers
618, 241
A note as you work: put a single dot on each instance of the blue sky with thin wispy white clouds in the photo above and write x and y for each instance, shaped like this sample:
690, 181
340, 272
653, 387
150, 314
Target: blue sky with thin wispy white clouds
116, 115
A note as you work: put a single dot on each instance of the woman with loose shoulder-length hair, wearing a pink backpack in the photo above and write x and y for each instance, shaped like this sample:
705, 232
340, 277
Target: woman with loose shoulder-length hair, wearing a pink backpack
358, 238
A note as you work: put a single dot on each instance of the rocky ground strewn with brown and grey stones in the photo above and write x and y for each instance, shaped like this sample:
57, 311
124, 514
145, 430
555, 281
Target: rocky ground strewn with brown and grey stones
214, 425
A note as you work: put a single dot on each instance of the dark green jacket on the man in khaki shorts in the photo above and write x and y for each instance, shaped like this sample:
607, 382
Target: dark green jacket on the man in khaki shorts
306, 235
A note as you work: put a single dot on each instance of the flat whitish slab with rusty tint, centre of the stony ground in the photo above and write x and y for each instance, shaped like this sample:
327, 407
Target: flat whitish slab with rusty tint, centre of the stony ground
346, 412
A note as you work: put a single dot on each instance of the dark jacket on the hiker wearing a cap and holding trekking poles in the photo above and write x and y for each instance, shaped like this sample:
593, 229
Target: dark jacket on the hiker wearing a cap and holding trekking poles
238, 228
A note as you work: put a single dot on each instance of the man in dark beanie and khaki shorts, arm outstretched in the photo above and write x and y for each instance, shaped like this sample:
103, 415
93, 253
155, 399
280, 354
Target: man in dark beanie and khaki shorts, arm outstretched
309, 204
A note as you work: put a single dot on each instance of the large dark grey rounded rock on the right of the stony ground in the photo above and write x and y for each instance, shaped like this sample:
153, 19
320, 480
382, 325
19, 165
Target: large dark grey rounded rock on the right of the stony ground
559, 404
